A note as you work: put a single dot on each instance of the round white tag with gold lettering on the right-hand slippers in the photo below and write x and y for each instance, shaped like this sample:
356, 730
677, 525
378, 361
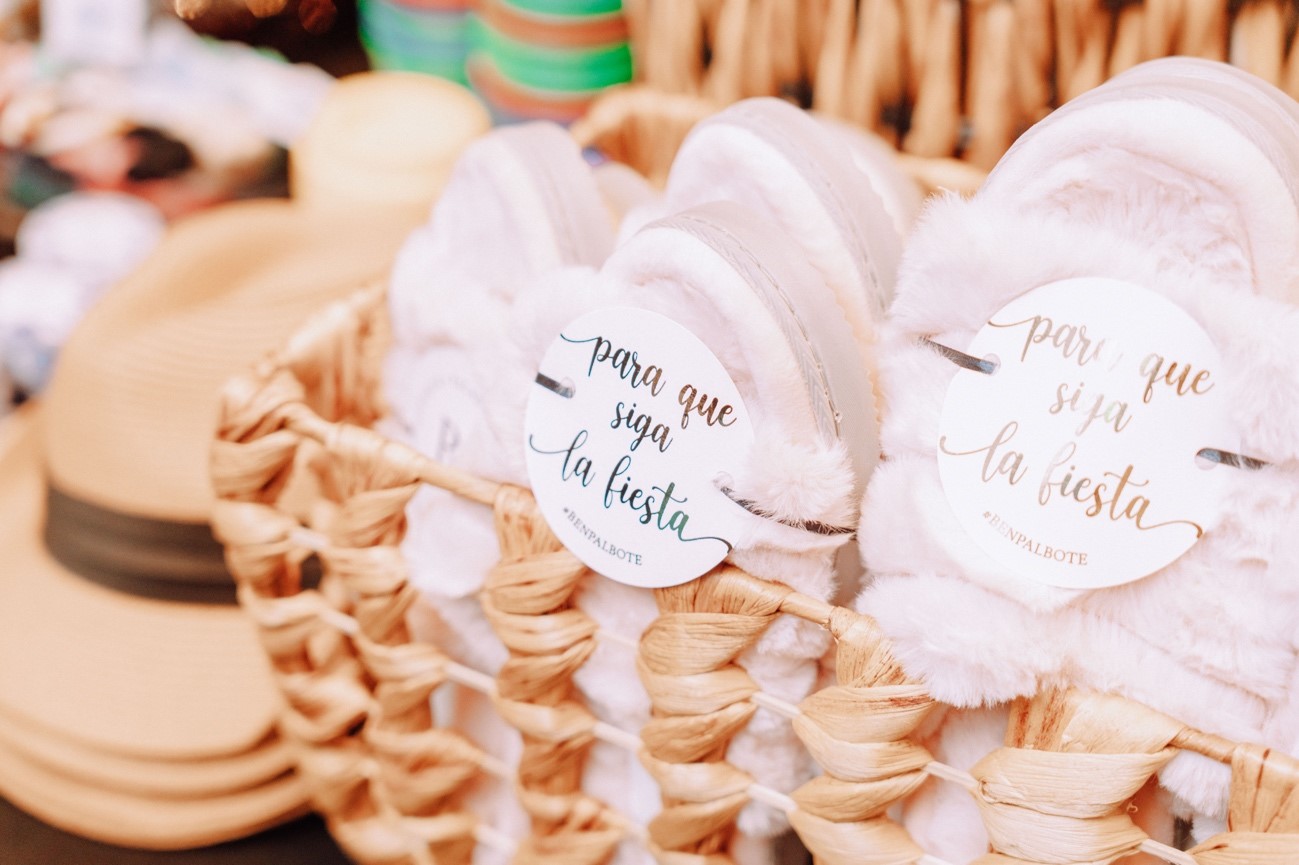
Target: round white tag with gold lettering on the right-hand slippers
1075, 463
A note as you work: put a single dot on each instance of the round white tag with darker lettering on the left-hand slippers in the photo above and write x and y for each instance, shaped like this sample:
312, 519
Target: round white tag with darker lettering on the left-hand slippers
629, 425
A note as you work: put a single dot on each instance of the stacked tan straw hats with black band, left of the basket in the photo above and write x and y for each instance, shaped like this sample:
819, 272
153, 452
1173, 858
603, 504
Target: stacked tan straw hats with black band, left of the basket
136, 703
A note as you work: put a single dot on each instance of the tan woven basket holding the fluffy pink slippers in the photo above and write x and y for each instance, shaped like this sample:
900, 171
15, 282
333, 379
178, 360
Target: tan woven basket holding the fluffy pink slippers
299, 473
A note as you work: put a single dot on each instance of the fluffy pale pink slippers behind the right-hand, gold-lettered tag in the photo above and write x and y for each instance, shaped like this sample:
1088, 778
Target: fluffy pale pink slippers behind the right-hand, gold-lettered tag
1180, 177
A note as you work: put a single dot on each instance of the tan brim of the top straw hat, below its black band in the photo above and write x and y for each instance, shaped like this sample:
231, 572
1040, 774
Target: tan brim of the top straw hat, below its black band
129, 676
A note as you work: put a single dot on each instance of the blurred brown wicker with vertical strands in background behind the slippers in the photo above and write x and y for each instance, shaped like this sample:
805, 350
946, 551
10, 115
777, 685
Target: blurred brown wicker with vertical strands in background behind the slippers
948, 79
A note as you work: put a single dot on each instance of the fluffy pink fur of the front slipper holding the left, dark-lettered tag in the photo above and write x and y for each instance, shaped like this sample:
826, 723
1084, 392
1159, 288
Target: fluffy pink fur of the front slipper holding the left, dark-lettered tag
792, 473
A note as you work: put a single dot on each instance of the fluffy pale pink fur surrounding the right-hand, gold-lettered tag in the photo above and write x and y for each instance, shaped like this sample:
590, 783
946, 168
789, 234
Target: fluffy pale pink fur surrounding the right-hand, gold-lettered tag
1211, 638
